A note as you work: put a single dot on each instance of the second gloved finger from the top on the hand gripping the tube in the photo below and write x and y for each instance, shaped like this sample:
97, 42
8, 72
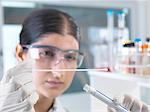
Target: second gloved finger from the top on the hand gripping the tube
137, 106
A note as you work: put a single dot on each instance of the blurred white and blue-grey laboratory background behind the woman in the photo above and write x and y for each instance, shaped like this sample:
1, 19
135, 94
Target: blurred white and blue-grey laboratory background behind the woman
115, 38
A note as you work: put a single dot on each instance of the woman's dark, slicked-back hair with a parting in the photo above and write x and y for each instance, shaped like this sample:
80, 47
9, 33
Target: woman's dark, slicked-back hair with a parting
46, 21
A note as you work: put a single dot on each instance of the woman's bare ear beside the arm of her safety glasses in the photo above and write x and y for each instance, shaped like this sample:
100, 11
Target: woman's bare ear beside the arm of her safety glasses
20, 55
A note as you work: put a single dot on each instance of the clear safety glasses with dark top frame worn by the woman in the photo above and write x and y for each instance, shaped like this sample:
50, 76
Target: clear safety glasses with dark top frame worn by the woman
46, 56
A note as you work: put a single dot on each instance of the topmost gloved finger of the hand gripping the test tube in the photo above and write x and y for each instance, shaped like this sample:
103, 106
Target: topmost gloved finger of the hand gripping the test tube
128, 102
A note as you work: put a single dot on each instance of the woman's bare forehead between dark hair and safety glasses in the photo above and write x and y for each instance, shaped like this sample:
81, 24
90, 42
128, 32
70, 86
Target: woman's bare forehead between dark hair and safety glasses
63, 42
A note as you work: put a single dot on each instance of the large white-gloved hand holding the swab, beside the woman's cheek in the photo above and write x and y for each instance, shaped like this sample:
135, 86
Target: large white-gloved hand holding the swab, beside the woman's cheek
17, 90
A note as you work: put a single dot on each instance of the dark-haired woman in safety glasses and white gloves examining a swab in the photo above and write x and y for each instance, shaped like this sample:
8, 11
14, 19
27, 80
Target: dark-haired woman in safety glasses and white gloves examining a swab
49, 42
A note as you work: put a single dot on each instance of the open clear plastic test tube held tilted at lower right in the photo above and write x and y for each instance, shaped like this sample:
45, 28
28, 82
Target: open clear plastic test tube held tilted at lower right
105, 98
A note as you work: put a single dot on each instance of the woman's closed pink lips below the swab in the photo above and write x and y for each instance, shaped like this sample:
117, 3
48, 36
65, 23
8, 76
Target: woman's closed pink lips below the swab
54, 84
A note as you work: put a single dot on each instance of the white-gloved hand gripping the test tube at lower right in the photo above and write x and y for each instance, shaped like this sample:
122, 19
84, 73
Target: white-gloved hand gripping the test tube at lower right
131, 104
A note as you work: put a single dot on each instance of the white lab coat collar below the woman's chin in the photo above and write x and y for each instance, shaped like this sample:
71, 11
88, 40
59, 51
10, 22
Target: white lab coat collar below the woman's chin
57, 107
